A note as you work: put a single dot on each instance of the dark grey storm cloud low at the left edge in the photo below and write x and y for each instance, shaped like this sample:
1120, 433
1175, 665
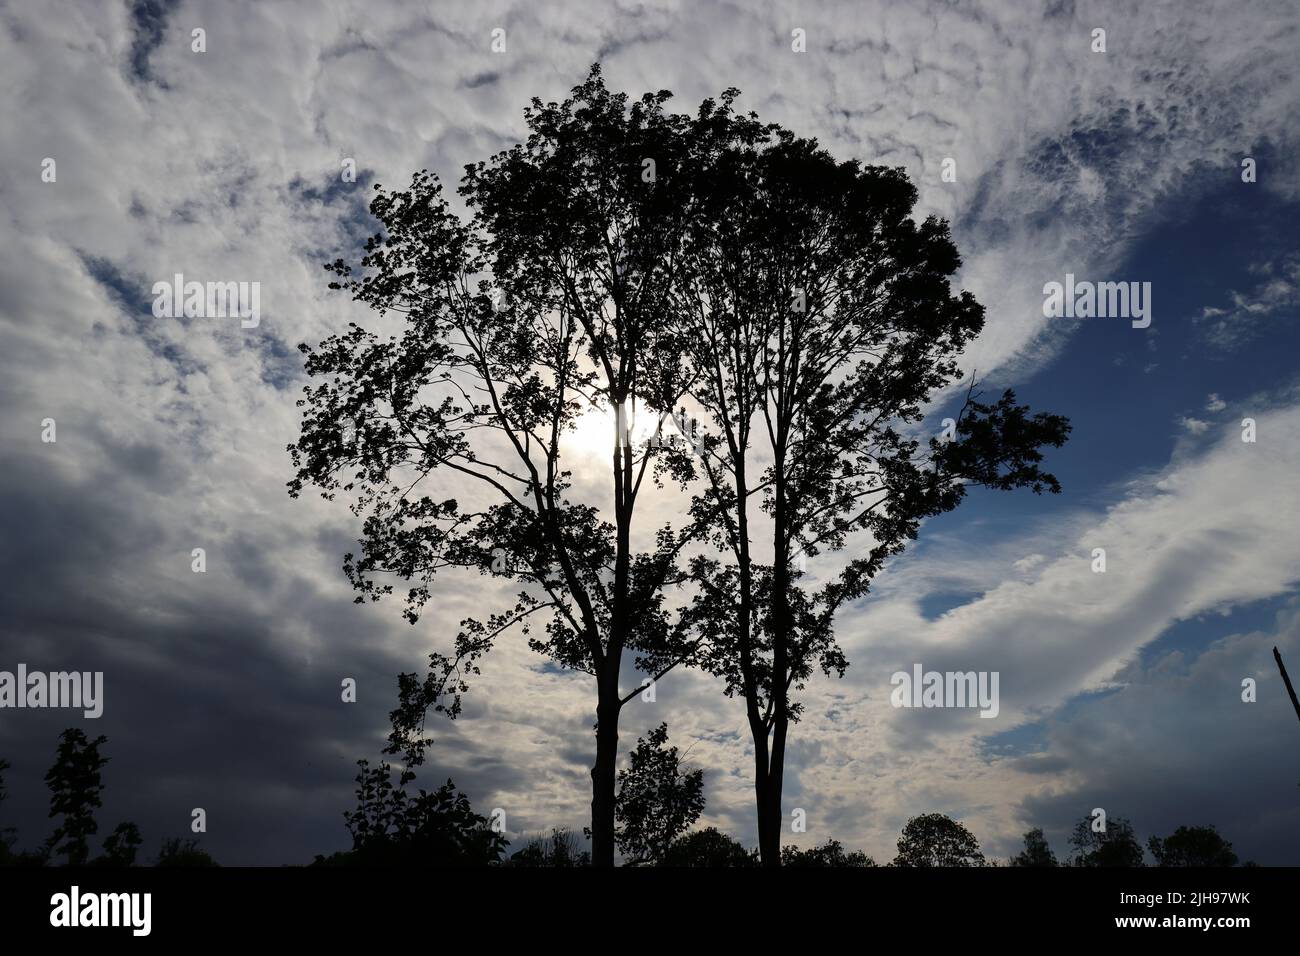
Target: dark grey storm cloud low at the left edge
206, 706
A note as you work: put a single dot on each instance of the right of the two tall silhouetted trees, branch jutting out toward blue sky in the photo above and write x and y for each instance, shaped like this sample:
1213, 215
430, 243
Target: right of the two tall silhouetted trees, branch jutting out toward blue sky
821, 322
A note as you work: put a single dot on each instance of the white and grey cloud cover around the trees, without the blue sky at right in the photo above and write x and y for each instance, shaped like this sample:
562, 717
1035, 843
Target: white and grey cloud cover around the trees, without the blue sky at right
222, 689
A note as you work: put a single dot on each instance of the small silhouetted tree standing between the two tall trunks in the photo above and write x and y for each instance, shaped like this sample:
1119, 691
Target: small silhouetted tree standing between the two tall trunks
657, 801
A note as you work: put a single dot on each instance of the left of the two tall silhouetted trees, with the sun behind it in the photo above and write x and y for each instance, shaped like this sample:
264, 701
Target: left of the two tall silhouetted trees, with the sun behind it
549, 304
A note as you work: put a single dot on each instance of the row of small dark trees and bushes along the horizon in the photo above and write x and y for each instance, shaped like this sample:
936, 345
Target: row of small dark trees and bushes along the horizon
658, 803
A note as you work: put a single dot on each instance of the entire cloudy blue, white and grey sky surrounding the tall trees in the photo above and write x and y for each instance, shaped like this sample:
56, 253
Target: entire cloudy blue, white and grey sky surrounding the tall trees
1119, 690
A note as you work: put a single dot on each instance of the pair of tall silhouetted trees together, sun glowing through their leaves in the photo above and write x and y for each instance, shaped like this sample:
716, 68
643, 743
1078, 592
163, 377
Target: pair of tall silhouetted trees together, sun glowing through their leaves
629, 261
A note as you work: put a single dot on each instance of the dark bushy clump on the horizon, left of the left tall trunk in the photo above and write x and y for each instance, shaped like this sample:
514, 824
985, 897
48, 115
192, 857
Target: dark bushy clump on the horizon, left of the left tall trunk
395, 828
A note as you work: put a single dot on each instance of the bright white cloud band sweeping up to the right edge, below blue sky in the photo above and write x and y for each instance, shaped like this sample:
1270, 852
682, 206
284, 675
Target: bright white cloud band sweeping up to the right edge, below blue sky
1195, 539
